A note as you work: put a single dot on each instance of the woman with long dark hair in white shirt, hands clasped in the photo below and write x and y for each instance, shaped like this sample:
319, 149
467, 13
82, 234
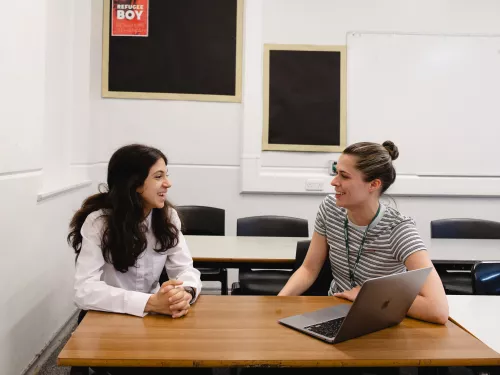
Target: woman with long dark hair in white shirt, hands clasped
125, 236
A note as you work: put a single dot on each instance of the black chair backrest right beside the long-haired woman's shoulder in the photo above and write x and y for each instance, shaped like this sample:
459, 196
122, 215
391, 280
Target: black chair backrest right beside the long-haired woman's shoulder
202, 220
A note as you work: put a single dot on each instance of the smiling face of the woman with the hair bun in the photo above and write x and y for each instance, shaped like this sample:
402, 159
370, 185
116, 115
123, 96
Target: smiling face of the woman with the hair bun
351, 189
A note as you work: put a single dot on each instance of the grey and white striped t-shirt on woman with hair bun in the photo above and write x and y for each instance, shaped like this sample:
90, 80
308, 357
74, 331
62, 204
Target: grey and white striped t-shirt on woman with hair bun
391, 238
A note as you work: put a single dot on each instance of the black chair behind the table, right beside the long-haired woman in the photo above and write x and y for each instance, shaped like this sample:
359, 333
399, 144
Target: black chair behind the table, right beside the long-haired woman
203, 221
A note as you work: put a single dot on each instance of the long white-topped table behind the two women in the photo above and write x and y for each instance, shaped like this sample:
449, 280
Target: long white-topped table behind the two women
279, 252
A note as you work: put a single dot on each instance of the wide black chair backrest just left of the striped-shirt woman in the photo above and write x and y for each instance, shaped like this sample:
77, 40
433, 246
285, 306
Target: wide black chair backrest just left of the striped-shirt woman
272, 226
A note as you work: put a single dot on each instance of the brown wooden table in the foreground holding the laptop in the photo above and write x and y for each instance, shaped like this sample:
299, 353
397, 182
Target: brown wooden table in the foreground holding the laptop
237, 331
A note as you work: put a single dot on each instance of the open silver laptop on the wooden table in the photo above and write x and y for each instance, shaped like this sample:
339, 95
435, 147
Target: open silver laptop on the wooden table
381, 302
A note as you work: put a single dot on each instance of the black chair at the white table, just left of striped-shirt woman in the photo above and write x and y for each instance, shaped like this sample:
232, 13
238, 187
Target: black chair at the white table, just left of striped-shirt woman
266, 282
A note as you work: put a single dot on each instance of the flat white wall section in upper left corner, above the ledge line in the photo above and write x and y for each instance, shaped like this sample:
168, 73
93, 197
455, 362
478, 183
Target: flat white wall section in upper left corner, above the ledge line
22, 71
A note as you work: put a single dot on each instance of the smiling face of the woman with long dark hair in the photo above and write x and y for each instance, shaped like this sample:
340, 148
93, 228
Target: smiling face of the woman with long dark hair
154, 189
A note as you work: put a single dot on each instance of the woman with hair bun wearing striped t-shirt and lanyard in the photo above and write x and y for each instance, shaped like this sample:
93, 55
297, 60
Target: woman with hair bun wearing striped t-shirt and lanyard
365, 239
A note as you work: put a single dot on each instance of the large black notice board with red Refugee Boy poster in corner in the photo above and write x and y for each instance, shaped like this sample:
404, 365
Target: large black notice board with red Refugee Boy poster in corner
191, 52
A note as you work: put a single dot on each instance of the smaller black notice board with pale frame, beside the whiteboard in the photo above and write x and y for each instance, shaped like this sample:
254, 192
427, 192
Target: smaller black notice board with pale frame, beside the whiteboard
305, 100
